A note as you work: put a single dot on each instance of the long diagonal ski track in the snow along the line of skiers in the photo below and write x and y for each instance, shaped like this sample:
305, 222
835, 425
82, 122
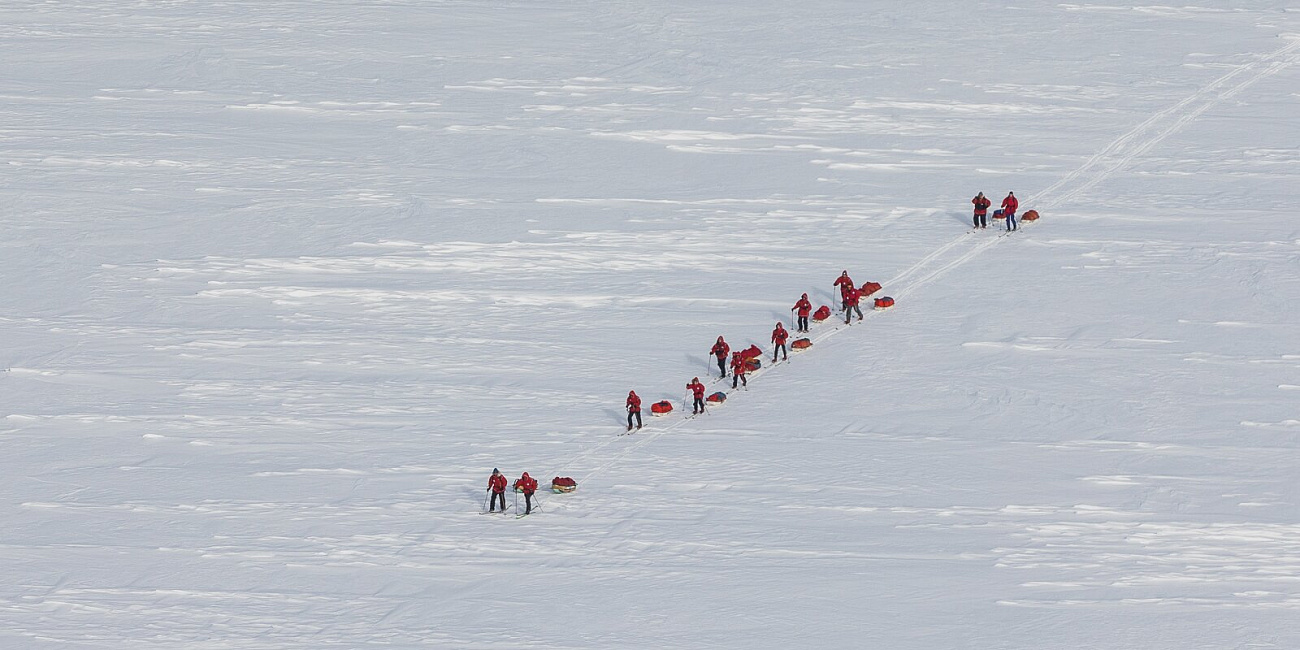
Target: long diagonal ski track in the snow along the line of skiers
1113, 158
